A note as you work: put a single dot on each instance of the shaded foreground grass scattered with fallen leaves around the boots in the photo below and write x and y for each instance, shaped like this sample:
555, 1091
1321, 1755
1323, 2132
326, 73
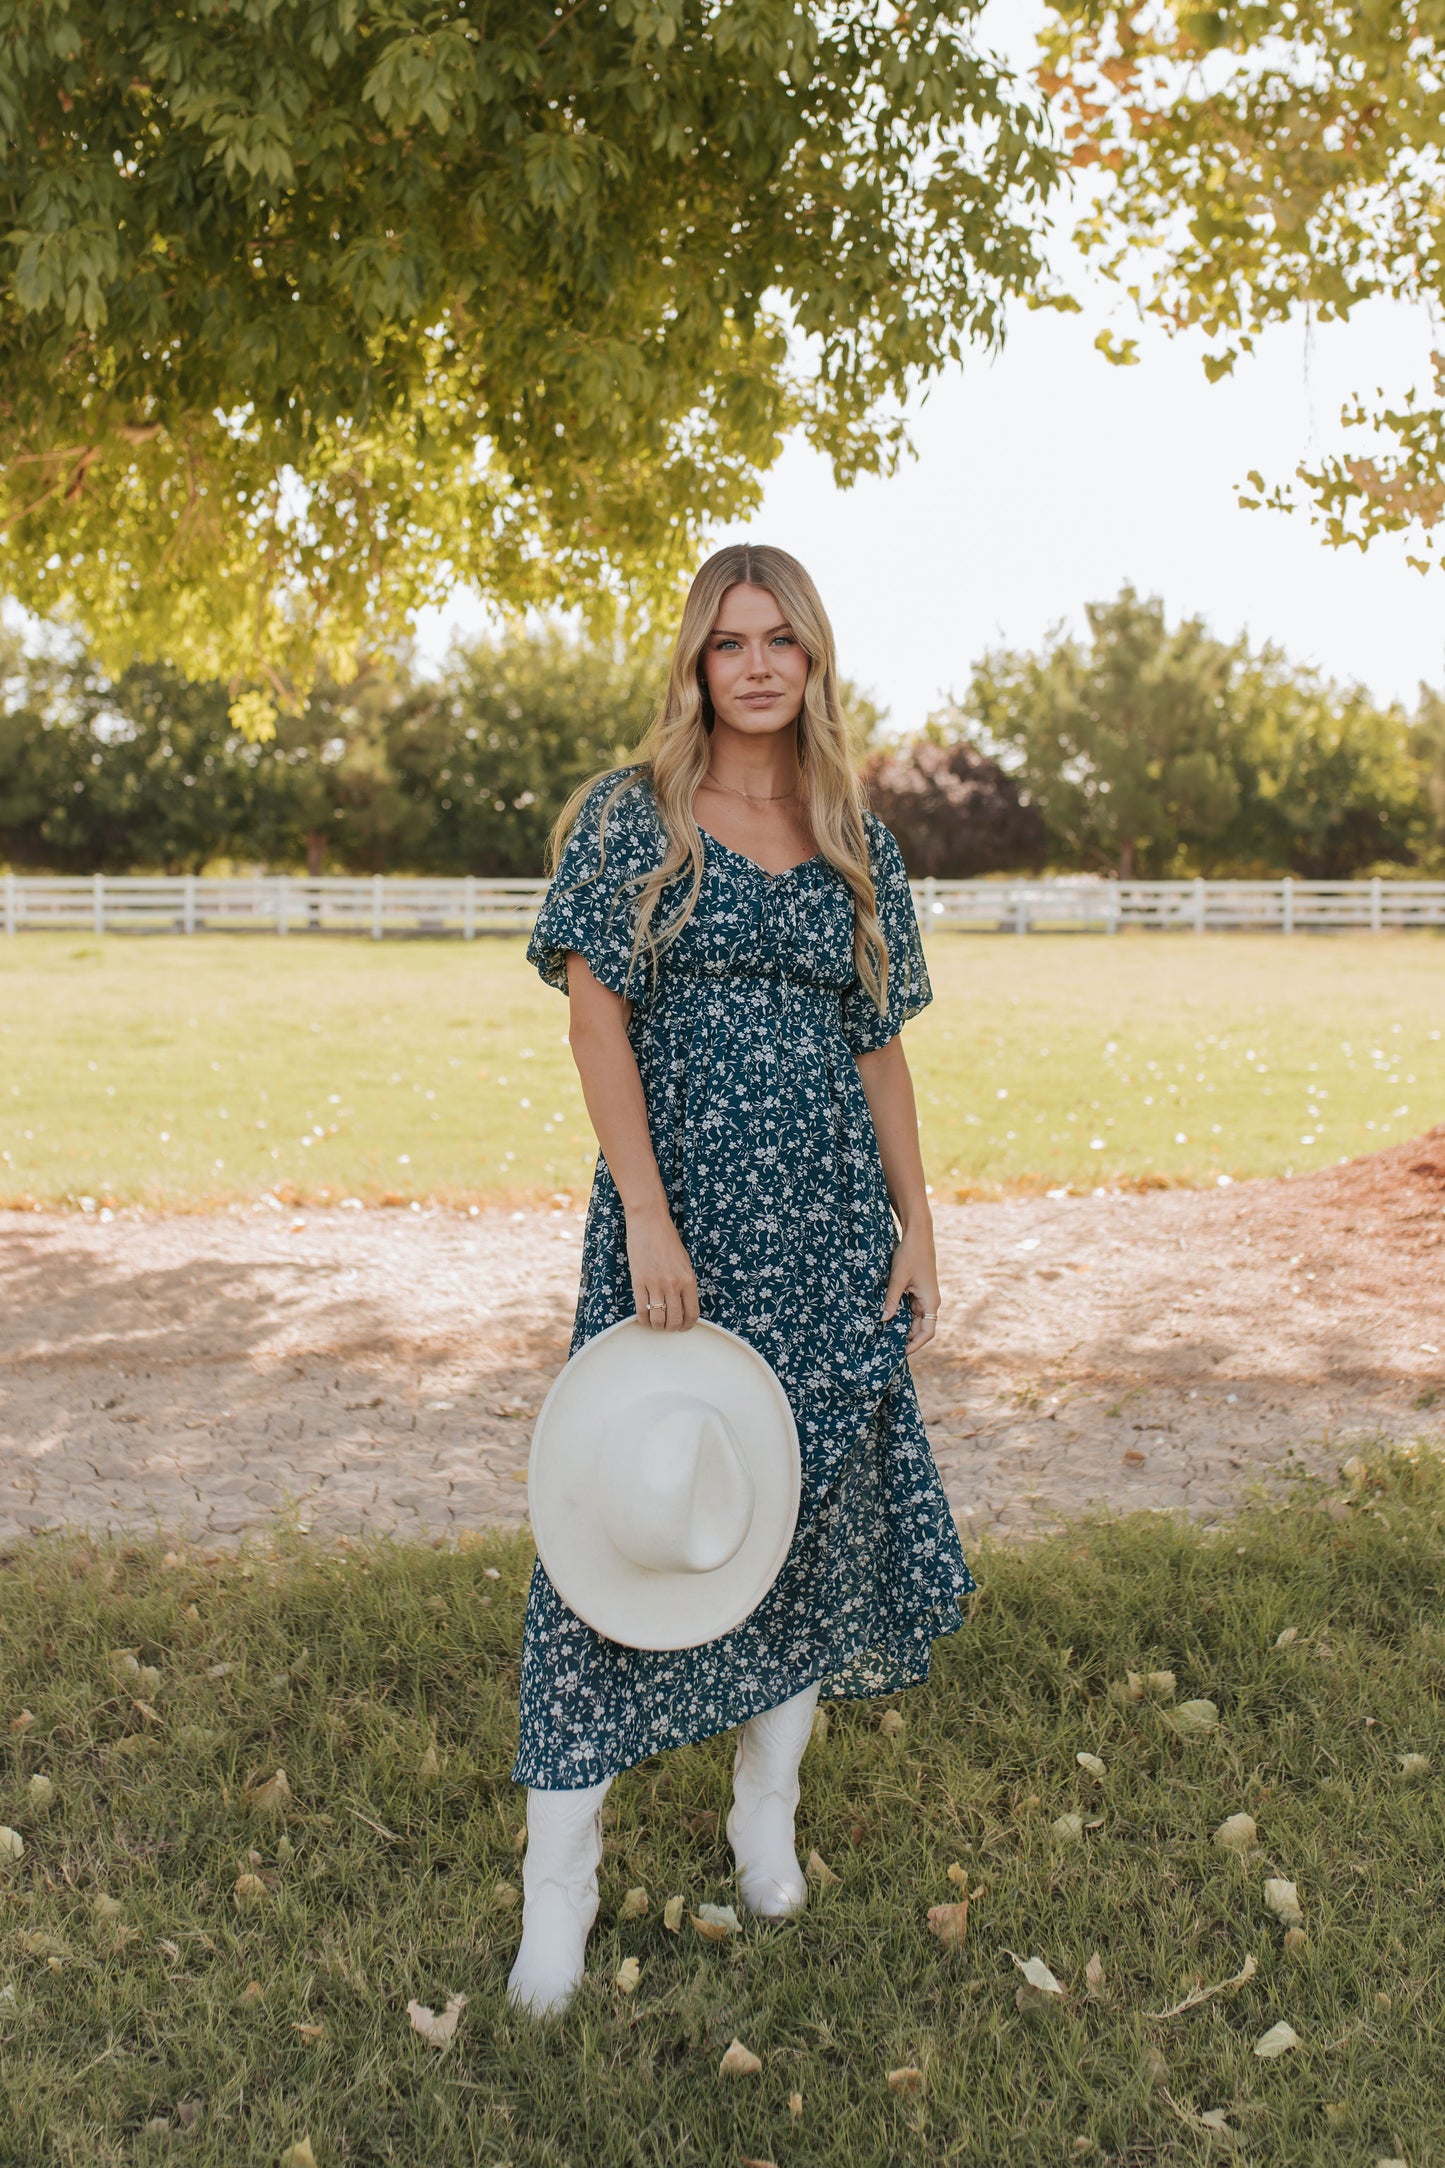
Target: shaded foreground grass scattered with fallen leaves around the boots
142, 1987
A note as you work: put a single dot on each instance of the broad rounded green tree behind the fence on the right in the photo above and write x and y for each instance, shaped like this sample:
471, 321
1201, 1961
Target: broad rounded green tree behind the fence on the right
1167, 753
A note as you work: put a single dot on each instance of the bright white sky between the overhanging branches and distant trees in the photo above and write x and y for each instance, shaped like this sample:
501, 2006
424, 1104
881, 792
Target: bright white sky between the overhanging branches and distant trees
1045, 478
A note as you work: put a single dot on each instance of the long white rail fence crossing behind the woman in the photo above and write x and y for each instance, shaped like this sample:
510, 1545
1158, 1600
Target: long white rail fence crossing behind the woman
283, 905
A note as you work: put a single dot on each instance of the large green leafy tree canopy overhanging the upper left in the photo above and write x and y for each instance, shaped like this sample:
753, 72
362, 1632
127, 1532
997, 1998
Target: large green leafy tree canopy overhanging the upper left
315, 309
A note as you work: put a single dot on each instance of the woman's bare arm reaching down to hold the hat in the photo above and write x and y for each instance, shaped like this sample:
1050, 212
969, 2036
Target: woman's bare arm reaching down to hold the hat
612, 1087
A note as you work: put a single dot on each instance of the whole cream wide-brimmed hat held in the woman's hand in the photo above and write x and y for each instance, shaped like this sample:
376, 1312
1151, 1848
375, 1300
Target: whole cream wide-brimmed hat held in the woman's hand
664, 1484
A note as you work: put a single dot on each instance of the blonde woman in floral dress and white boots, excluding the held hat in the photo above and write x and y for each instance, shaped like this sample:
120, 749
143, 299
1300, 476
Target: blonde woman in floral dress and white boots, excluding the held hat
740, 948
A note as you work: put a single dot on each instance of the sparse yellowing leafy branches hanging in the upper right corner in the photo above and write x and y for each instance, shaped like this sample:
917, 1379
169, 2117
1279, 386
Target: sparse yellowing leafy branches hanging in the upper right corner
1264, 157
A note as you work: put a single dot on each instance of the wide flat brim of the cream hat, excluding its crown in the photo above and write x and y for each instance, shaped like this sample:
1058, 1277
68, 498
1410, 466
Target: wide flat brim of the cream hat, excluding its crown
623, 1601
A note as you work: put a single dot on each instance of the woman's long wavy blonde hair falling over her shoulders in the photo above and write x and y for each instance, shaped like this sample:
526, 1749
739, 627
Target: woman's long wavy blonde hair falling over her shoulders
675, 758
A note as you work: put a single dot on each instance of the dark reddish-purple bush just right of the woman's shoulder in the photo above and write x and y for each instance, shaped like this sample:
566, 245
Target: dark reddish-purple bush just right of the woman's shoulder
954, 812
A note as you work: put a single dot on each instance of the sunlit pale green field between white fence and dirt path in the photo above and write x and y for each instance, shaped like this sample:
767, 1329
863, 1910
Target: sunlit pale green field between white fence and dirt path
190, 1074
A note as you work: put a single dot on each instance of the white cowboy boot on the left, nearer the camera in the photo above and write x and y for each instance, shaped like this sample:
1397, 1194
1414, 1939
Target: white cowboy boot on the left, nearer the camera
560, 1889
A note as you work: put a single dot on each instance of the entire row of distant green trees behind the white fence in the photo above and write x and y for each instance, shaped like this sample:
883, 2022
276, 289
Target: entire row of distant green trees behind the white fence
1141, 749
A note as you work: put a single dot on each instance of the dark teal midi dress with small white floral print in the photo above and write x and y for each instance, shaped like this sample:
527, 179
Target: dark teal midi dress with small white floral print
746, 1044
